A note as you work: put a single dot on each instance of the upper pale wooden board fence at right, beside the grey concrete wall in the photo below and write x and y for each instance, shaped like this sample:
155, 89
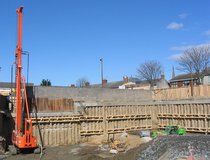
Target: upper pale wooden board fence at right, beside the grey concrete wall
201, 91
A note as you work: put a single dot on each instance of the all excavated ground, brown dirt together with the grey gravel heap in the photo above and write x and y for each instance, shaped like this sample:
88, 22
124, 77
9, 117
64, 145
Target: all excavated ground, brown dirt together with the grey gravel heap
161, 148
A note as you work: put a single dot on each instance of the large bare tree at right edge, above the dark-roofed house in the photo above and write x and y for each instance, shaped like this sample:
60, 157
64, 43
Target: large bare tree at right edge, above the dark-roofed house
195, 61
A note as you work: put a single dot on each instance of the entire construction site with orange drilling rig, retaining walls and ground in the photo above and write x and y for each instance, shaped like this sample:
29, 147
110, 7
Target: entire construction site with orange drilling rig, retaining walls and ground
99, 123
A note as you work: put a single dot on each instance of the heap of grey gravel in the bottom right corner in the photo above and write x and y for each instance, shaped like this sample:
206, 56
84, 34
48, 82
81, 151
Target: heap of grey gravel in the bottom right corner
177, 147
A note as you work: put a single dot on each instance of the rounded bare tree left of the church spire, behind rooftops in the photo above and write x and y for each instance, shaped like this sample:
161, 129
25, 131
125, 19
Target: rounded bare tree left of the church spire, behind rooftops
150, 71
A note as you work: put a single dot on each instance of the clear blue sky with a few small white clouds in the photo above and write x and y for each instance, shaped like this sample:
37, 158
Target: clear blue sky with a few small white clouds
66, 38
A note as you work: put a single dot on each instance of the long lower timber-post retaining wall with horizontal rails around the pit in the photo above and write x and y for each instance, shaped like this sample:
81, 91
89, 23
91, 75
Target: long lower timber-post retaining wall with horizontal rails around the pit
111, 119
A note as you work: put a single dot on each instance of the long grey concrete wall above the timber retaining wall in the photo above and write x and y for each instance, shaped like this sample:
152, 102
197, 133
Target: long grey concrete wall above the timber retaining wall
92, 94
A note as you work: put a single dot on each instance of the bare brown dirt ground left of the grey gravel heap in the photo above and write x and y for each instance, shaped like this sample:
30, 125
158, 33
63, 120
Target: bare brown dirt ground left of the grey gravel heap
94, 149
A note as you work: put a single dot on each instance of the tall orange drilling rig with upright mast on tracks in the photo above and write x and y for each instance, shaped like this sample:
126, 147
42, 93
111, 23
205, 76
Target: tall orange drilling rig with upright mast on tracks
22, 136
